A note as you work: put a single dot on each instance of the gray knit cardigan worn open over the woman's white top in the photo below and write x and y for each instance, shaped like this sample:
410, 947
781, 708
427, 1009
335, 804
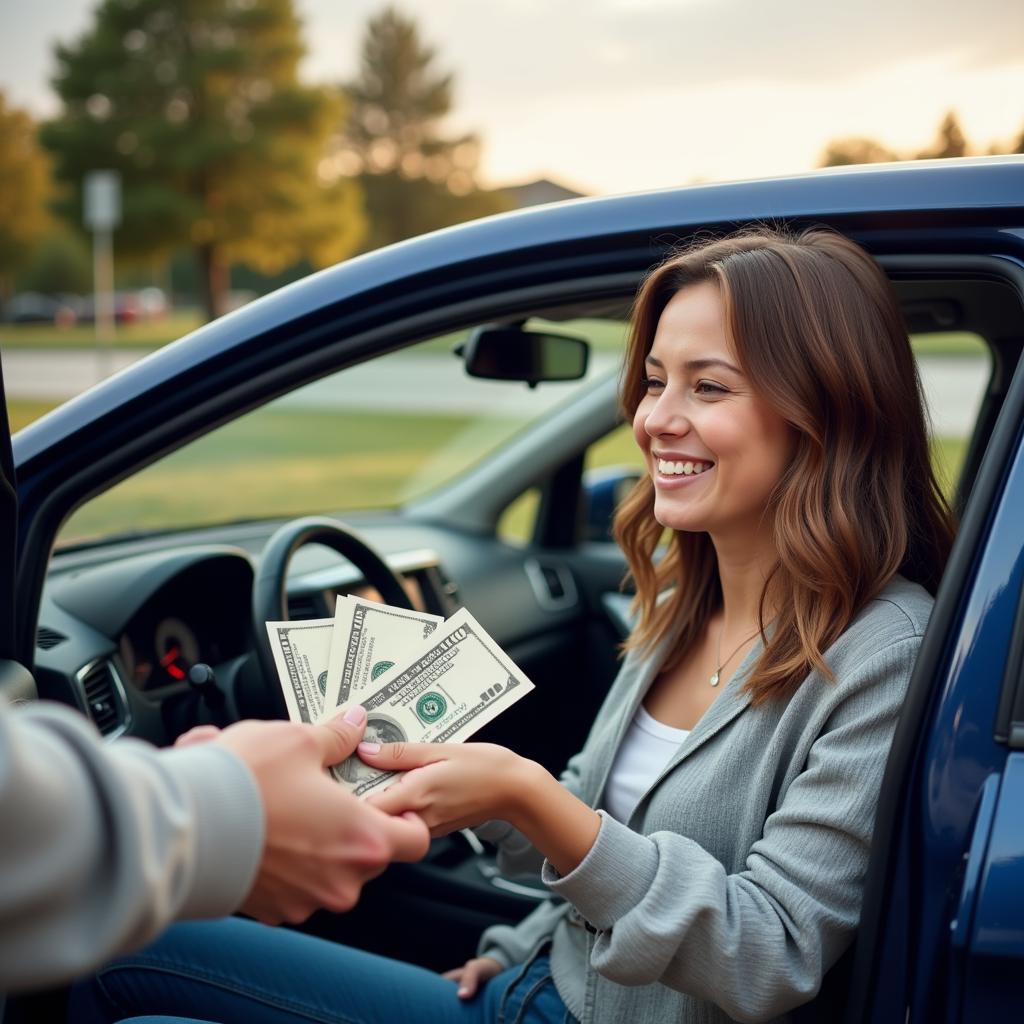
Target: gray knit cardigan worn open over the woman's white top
738, 881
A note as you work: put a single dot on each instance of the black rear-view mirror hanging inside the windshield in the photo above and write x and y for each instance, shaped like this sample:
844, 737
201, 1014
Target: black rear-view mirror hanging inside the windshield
511, 354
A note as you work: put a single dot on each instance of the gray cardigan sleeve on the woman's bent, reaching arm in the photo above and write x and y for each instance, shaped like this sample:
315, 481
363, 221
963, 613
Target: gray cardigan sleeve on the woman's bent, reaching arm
758, 943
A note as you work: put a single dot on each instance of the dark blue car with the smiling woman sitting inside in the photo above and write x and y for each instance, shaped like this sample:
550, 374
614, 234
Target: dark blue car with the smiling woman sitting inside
387, 425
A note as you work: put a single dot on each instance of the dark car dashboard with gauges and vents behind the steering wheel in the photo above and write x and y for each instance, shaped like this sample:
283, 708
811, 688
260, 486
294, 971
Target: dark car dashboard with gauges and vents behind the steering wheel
120, 624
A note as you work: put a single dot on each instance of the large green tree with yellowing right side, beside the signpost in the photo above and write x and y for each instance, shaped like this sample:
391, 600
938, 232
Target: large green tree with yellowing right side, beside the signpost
197, 104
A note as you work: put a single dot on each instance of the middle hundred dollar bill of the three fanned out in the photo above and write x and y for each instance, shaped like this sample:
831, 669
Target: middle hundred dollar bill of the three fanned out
370, 638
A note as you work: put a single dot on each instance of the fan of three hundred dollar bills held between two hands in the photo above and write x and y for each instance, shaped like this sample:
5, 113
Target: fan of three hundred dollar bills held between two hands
421, 678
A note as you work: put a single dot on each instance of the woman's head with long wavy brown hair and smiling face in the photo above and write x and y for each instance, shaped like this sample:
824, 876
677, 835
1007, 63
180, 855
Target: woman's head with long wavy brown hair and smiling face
819, 413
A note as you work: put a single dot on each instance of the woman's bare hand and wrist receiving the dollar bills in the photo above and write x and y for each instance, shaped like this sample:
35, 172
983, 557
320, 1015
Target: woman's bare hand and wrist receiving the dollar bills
458, 786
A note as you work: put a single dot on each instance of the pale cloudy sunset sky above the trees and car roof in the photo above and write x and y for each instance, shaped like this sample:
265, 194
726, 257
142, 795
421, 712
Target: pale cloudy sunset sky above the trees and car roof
625, 96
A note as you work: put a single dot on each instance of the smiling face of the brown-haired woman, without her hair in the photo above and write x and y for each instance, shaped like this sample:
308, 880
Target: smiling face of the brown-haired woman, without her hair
714, 449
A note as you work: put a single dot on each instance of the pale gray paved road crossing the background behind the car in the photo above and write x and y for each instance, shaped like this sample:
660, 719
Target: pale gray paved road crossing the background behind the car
433, 383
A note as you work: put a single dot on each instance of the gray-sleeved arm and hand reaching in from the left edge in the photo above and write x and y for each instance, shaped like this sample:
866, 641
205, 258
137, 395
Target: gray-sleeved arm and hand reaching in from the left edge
104, 845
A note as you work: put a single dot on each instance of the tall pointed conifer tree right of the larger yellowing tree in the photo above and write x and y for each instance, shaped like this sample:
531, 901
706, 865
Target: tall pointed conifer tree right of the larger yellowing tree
415, 179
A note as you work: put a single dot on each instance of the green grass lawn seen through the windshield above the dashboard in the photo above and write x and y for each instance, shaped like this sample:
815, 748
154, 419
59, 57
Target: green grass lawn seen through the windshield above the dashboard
288, 462
